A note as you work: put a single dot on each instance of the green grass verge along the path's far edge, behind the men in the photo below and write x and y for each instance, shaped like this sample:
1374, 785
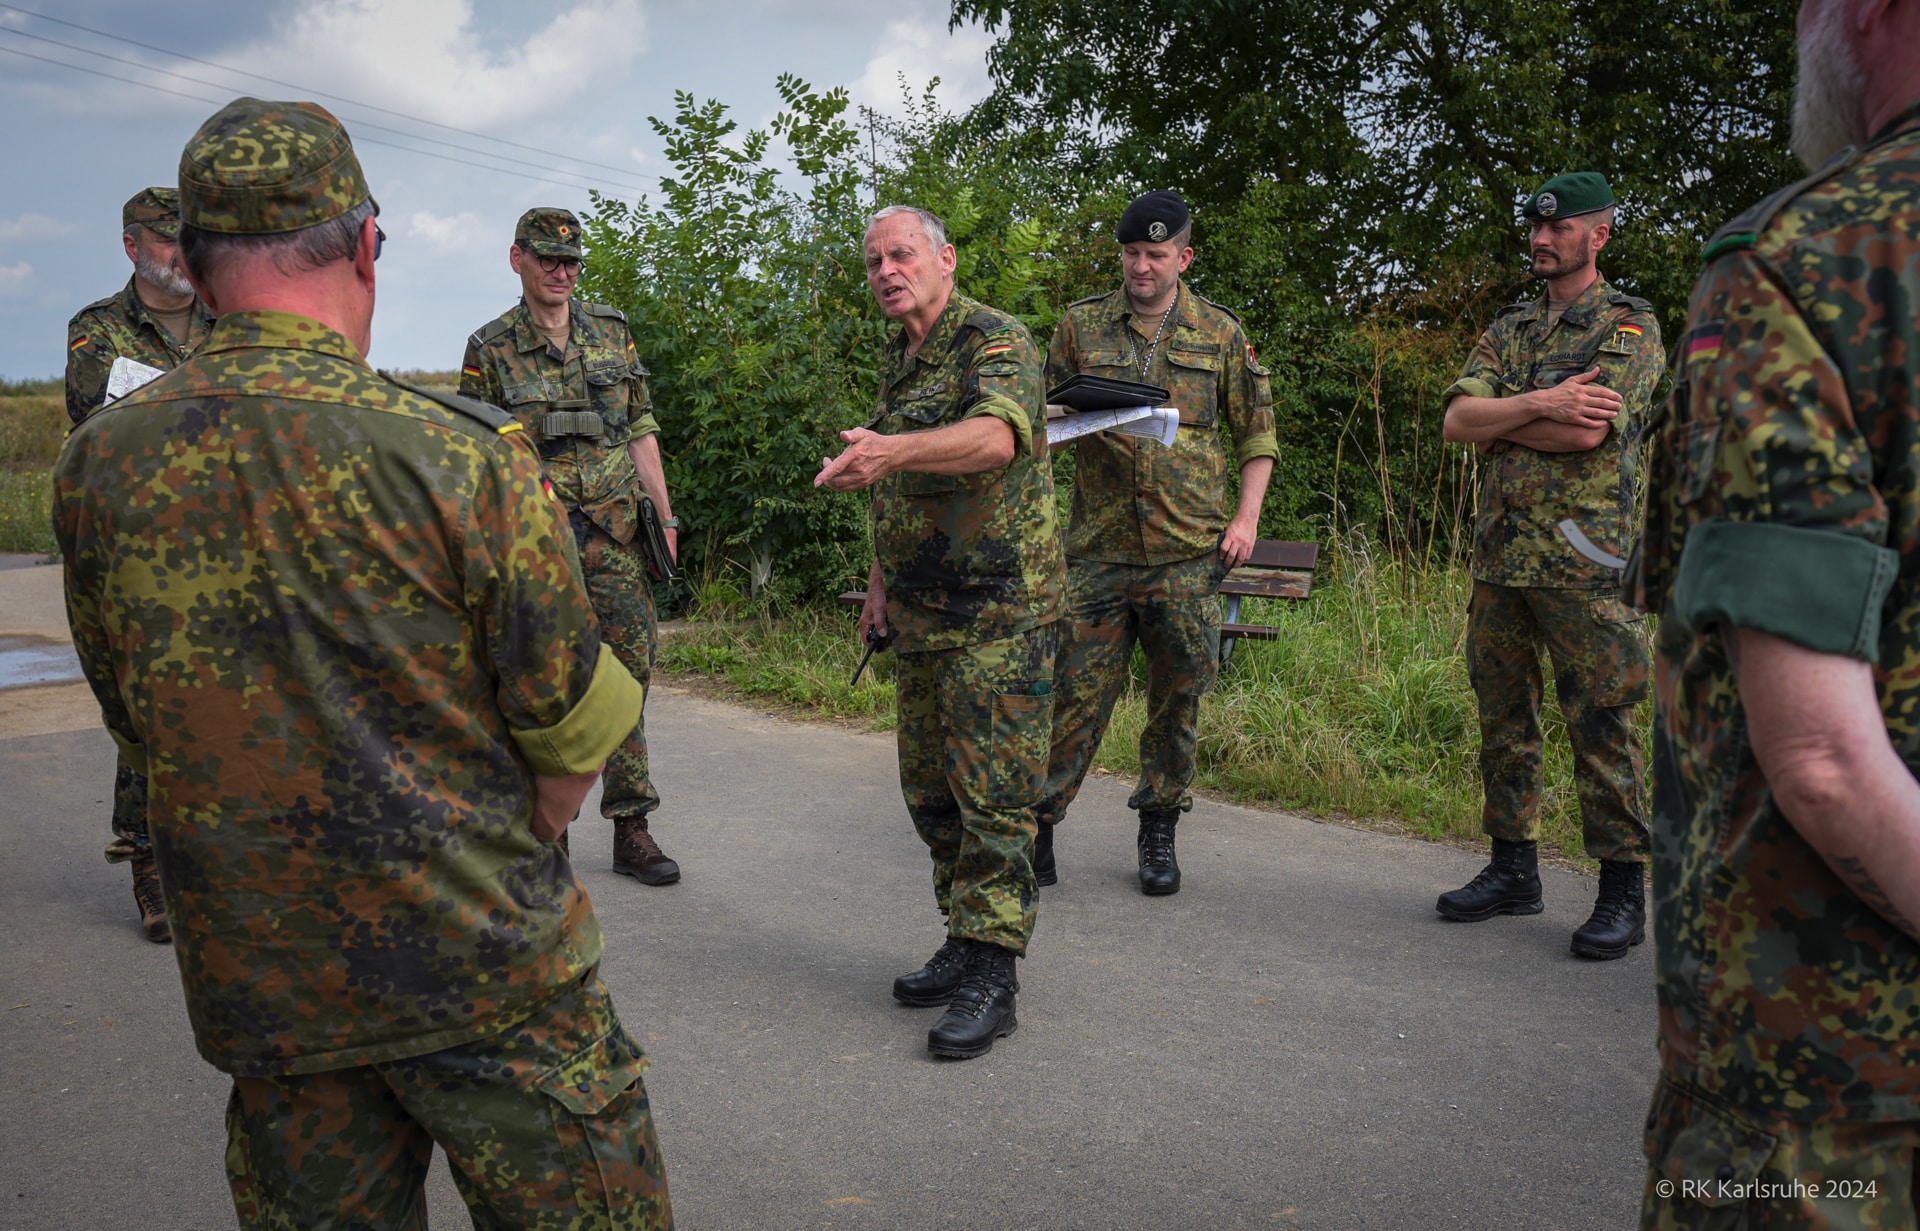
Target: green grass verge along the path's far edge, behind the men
1362, 710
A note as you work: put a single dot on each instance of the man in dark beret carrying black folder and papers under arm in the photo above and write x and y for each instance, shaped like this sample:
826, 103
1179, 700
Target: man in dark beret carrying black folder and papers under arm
1155, 529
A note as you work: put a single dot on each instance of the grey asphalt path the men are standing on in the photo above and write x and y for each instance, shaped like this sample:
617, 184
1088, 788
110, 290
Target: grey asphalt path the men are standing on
1295, 1040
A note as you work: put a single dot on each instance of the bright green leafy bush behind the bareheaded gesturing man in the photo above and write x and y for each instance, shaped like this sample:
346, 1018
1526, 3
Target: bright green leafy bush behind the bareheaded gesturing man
748, 299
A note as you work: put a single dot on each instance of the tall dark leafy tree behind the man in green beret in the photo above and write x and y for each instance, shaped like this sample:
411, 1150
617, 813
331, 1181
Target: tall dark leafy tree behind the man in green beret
1356, 172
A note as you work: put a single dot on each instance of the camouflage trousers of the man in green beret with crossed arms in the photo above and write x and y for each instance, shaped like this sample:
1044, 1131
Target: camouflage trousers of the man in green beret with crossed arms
1600, 673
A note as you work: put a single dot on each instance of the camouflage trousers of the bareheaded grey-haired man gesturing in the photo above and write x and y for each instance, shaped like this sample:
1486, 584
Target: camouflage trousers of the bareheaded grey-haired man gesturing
974, 727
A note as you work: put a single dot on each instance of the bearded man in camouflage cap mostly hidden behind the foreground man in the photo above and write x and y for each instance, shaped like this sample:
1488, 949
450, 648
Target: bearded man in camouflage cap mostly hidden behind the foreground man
156, 320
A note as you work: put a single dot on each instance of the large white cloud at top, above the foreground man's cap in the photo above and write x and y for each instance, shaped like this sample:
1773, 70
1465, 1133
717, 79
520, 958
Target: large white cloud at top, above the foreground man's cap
427, 57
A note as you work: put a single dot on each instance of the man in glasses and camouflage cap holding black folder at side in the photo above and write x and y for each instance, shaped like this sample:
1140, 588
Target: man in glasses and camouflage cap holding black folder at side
569, 374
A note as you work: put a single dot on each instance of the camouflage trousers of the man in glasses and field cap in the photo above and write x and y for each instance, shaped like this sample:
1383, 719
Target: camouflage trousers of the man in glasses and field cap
623, 602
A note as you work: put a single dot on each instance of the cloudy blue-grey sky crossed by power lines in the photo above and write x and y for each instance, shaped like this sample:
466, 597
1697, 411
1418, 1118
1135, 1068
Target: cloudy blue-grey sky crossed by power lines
579, 80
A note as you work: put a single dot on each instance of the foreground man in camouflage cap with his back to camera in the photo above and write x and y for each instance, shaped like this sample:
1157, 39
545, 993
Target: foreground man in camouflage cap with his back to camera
343, 629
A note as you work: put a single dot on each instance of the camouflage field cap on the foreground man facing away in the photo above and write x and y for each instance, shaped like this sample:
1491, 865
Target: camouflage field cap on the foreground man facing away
268, 168
